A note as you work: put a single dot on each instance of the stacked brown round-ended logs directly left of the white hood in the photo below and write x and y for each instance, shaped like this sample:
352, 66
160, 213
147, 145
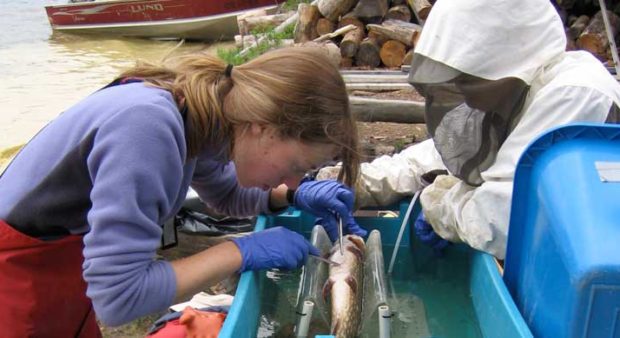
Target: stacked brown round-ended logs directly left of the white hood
383, 34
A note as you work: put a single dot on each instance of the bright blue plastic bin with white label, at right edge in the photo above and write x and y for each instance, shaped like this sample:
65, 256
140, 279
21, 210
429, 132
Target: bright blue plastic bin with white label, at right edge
563, 257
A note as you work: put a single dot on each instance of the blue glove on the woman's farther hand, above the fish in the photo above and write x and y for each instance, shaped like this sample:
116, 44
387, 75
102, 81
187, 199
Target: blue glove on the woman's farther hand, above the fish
326, 199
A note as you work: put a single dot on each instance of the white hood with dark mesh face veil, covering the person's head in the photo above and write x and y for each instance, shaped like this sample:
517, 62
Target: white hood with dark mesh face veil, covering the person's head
474, 62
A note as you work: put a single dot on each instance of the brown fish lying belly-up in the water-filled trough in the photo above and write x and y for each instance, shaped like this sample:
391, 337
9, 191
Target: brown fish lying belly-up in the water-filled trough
345, 286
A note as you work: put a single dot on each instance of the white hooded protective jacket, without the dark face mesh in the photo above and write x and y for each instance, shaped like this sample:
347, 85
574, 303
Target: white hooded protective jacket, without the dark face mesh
491, 40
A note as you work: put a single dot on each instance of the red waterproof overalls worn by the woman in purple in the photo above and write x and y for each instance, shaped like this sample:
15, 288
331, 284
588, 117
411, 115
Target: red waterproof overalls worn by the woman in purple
42, 292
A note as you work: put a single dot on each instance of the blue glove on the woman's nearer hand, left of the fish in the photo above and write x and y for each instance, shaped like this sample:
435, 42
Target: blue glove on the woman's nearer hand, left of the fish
274, 248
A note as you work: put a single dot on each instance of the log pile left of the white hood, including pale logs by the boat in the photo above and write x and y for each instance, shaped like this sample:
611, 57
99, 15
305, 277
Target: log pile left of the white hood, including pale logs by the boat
368, 33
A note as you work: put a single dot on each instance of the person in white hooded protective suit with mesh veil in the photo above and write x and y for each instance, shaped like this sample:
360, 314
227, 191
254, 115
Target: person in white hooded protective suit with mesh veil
495, 75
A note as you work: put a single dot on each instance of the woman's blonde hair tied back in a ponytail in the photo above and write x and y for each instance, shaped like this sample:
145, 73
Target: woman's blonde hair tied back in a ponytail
295, 90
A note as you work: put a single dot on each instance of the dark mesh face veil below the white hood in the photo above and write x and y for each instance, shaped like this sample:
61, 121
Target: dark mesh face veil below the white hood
468, 117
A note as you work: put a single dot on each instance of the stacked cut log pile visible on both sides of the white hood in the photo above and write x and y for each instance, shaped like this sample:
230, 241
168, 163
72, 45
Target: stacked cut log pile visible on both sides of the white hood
382, 33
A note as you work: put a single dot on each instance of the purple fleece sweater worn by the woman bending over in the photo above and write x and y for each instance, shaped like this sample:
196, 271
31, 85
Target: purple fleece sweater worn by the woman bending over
113, 167
